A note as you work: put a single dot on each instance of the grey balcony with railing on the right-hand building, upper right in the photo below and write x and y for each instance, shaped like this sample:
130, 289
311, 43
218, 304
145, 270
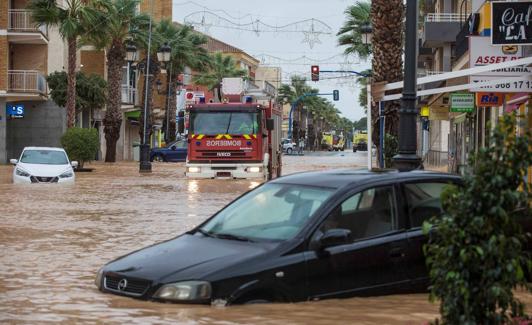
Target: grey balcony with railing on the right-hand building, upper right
441, 28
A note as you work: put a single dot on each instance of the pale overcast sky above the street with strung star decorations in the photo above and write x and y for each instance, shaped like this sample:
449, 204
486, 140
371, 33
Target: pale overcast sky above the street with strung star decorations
284, 47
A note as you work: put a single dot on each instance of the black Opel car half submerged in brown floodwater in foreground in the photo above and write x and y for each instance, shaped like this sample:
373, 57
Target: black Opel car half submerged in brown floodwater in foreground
302, 237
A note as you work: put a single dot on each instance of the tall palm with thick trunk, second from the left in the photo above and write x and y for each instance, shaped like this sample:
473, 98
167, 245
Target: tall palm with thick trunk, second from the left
123, 24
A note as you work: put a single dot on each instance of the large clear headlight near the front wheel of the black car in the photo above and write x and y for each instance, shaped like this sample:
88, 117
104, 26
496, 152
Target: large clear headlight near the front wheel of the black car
185, 291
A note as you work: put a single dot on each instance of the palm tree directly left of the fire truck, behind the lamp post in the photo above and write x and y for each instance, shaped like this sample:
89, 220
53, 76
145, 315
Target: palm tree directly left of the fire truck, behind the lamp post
188, 50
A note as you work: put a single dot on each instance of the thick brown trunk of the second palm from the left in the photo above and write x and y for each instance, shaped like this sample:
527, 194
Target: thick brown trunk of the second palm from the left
113, 115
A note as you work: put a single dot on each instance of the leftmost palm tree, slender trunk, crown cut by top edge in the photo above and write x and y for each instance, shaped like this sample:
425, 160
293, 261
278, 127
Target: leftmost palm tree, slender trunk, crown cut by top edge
74, 19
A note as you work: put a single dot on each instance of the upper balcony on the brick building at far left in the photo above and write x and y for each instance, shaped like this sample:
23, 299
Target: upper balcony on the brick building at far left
22, 29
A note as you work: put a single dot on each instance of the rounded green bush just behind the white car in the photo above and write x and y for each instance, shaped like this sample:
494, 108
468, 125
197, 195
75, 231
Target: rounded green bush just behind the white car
81, 144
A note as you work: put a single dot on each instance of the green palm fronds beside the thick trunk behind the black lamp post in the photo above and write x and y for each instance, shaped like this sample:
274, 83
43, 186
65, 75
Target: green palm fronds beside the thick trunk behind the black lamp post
357, 15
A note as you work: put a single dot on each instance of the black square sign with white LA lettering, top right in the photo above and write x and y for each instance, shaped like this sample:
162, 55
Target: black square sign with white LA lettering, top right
511, 23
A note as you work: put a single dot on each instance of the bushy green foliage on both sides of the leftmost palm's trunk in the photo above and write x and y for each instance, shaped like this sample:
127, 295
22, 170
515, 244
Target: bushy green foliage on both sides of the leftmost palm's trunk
91, 90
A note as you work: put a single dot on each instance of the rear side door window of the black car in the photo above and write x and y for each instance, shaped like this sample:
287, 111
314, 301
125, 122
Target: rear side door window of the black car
423, 201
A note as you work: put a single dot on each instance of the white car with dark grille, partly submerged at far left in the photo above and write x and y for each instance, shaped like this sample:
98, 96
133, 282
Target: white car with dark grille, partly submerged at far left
43, 165
